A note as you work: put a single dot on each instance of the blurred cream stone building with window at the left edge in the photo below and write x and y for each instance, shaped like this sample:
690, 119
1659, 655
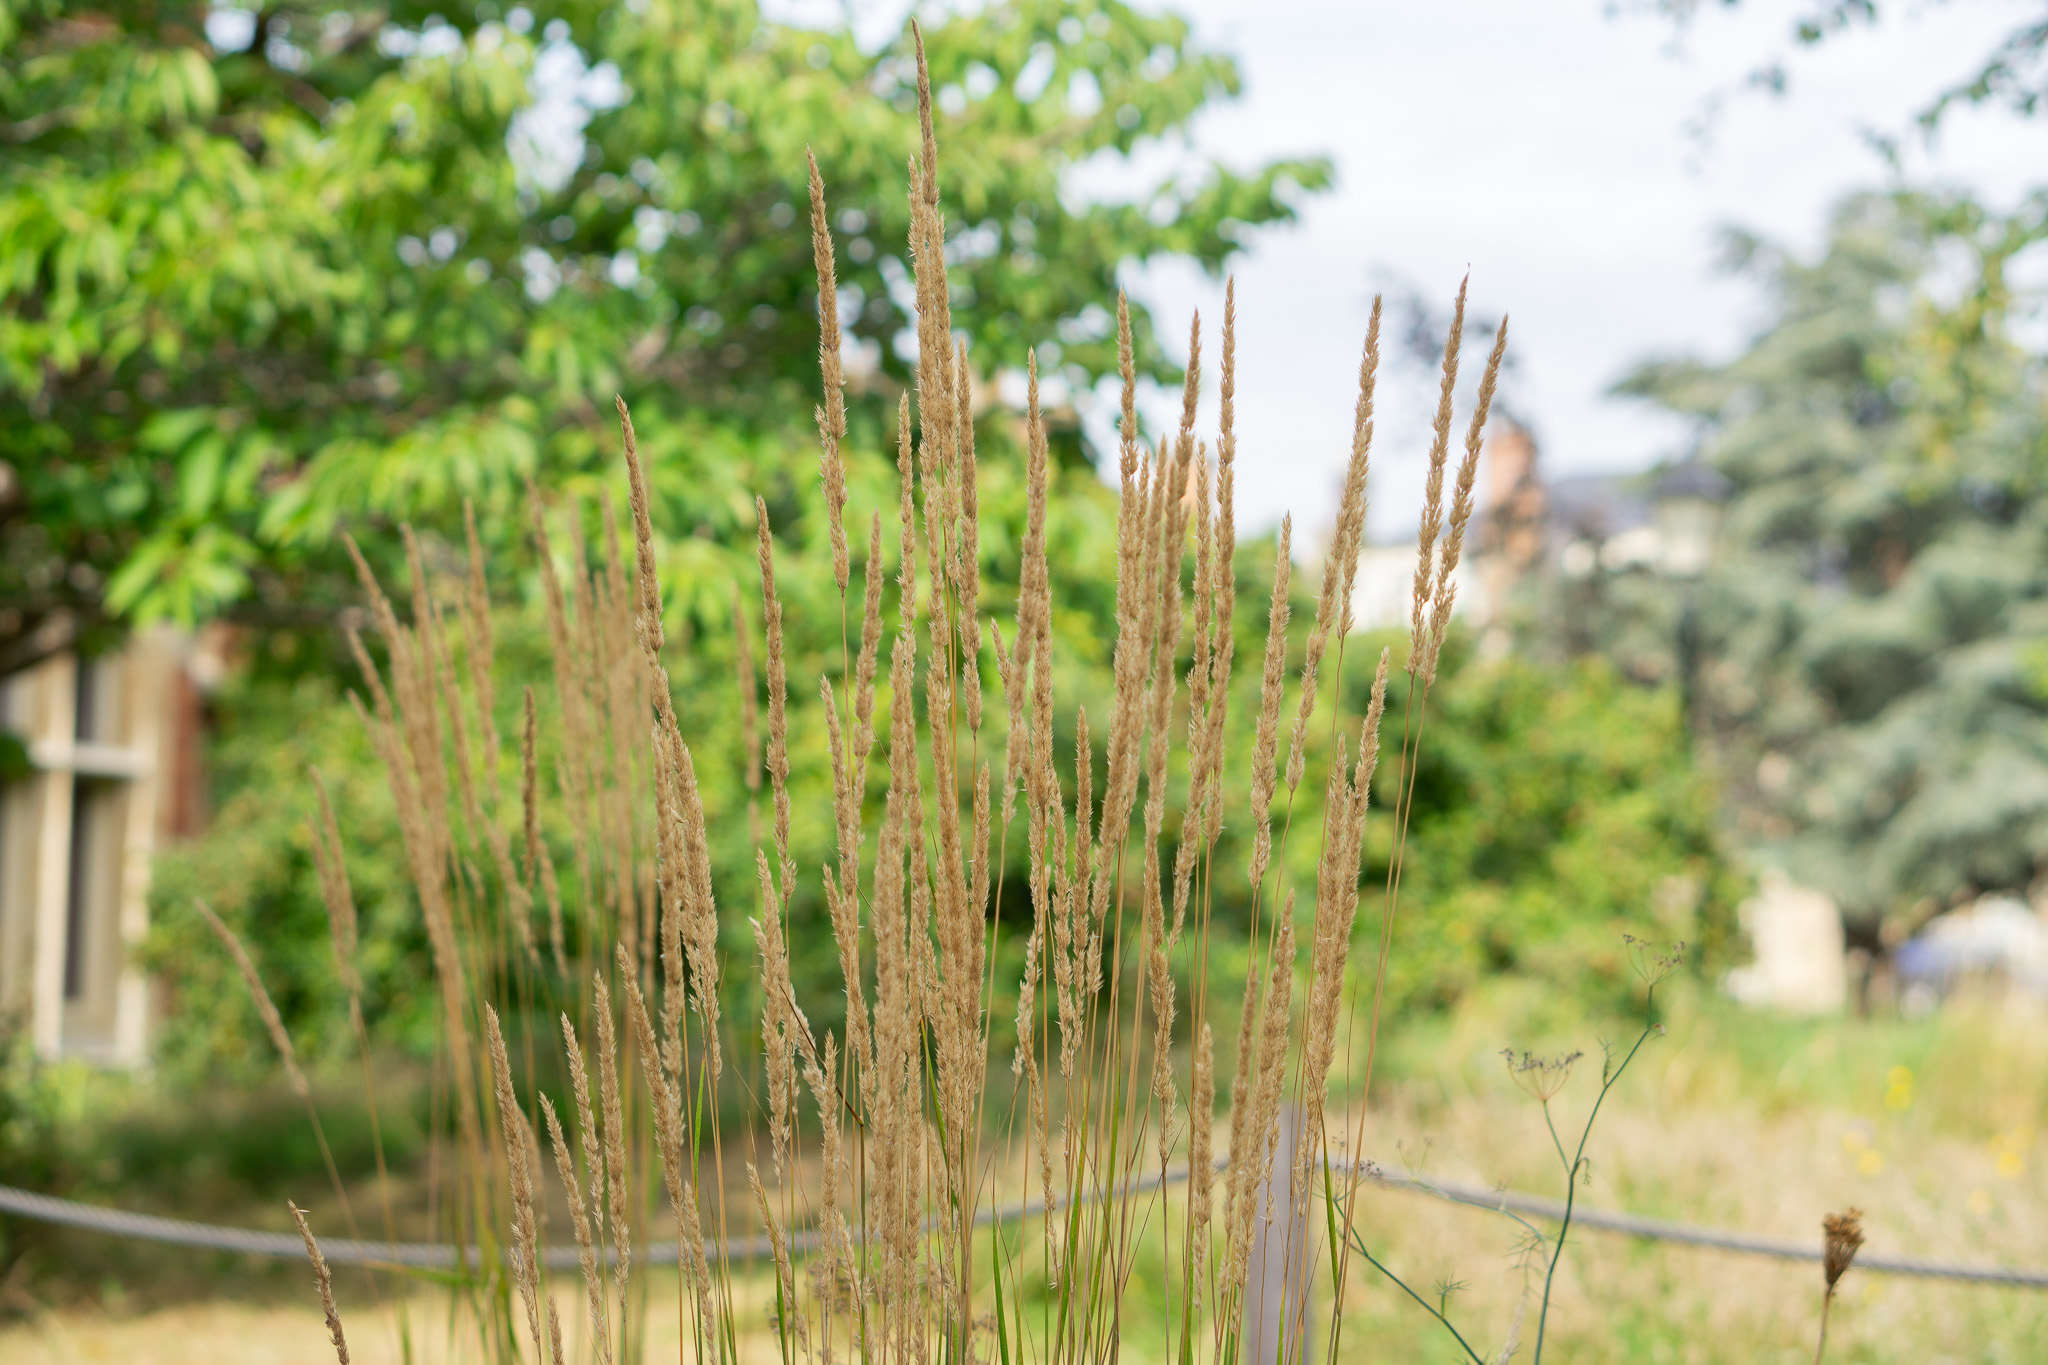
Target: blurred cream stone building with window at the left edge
112, 773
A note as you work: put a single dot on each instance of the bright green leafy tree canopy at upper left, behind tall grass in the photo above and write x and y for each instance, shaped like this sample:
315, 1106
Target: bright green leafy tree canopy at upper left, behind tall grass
275, 271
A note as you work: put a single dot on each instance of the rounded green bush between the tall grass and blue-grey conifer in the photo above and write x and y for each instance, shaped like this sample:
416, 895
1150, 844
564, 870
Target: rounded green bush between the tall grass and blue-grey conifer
1558, 809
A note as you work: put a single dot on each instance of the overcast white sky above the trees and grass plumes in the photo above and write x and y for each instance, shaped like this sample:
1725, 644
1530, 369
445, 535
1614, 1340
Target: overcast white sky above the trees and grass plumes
1545, 146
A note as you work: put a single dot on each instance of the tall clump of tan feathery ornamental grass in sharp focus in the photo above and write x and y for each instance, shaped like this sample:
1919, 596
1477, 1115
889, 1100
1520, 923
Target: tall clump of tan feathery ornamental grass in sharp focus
880, 1141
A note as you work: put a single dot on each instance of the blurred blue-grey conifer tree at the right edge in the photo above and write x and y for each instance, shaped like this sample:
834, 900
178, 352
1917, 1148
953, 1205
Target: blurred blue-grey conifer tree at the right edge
1875, 637
